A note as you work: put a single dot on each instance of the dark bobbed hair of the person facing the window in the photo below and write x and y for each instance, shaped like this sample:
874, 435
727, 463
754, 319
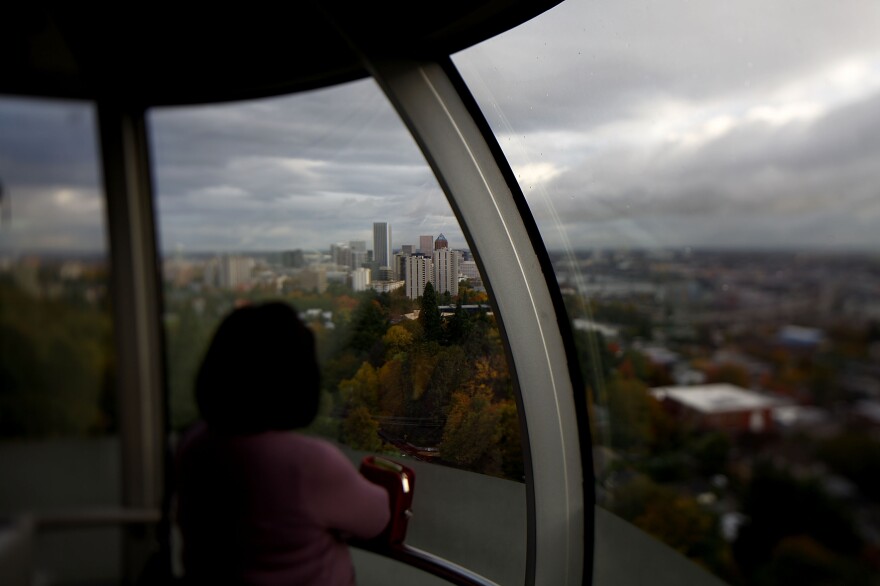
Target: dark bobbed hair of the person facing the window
260, 372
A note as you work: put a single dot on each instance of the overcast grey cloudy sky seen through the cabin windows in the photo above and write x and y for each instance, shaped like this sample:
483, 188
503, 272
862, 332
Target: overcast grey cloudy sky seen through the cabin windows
677, 123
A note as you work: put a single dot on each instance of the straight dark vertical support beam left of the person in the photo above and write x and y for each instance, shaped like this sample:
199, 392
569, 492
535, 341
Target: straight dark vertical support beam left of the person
136, 318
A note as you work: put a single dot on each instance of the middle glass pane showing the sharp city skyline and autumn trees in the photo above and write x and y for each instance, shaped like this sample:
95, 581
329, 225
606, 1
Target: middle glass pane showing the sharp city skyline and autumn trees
323, 200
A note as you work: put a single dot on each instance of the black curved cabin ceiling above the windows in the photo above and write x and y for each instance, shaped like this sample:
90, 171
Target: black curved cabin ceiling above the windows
152, 55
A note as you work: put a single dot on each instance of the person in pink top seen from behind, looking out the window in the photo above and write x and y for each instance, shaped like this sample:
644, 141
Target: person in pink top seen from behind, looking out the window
258, 503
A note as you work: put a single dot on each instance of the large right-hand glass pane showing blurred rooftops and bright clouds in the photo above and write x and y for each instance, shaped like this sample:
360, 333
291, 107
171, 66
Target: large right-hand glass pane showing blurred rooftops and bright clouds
705, 177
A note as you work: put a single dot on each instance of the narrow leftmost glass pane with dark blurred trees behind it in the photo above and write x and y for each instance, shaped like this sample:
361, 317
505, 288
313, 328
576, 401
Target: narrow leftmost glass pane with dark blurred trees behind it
59, 450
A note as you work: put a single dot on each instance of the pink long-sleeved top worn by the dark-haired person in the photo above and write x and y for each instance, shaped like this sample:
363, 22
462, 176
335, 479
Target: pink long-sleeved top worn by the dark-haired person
272, 508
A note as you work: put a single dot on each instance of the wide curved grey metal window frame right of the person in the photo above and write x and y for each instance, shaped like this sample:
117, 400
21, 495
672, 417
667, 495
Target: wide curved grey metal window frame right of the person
434, 104
